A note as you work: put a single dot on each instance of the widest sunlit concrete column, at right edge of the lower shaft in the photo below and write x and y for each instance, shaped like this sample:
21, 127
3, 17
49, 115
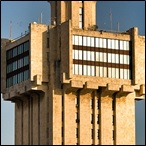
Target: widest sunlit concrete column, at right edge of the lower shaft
125, 119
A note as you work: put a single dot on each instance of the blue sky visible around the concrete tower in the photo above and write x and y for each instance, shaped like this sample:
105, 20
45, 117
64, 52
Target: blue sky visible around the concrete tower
128, 13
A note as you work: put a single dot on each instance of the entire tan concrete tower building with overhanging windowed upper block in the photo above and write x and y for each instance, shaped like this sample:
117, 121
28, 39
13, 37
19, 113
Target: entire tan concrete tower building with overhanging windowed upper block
72, 83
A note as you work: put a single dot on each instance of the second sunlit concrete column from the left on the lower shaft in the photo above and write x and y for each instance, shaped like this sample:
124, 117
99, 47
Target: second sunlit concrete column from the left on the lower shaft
69, 118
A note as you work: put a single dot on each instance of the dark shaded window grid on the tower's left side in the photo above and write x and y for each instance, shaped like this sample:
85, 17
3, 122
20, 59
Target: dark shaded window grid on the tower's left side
17, 60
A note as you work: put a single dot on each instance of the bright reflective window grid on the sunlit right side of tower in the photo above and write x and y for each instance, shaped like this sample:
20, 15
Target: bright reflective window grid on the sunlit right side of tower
101, 57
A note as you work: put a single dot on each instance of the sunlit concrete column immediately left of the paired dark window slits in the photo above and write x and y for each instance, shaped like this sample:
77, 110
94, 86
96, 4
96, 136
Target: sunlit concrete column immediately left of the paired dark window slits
85, 118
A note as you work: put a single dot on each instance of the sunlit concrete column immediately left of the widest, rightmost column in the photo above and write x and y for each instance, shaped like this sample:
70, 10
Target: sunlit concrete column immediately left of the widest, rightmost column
106, 117
